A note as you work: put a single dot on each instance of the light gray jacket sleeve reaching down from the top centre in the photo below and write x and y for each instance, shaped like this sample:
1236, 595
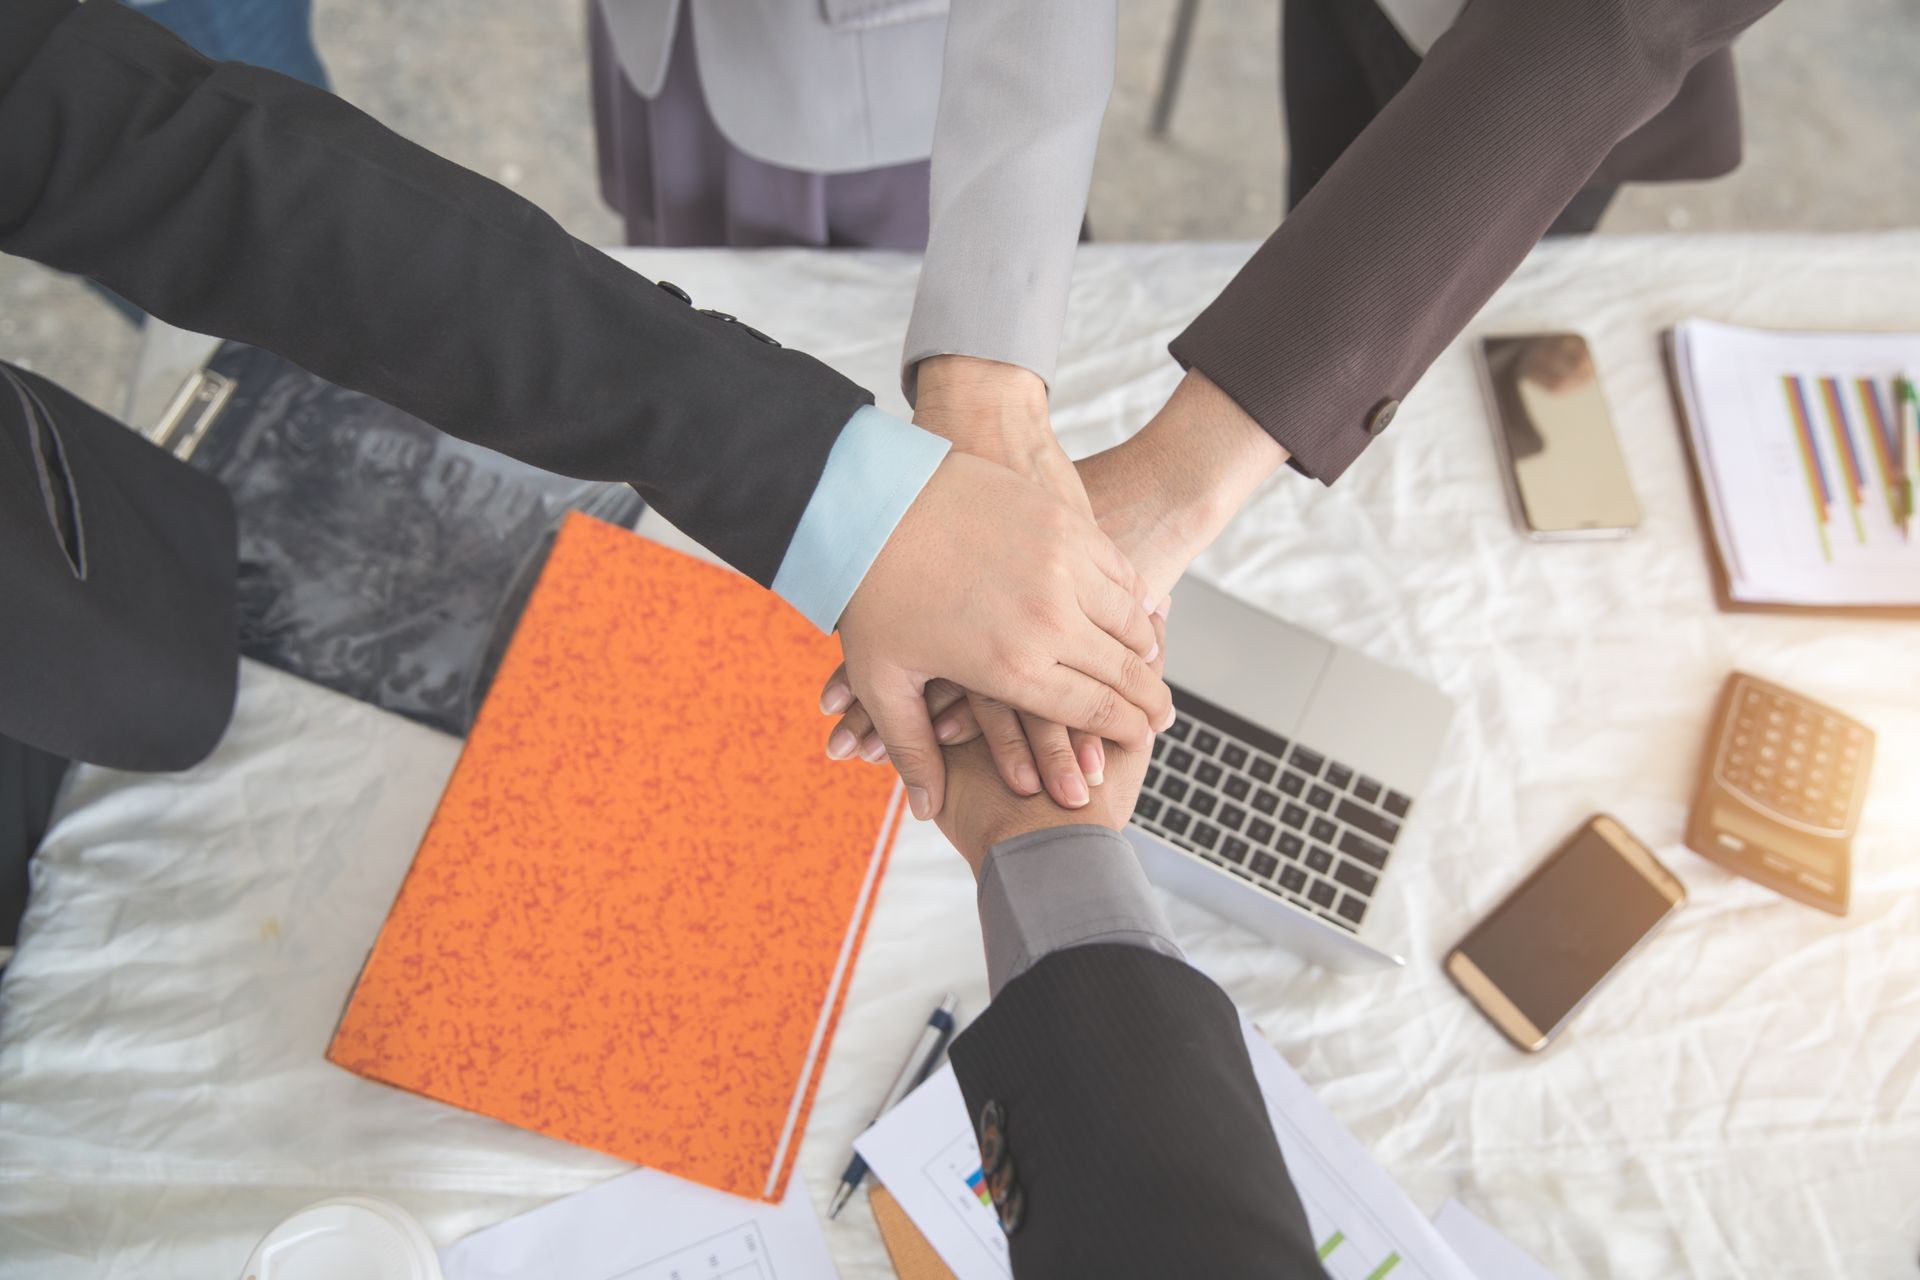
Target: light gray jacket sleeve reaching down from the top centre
1022, 95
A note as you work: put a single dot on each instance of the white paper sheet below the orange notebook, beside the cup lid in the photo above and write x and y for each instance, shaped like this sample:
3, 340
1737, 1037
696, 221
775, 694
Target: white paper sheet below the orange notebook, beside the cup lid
650, 1225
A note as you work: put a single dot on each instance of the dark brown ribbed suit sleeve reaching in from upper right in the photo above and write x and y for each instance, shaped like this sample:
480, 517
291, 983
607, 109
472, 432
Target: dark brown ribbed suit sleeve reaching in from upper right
1435, 204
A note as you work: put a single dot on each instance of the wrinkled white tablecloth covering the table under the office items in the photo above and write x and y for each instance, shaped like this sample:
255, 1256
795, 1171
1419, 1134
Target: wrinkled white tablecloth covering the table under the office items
1744, 1101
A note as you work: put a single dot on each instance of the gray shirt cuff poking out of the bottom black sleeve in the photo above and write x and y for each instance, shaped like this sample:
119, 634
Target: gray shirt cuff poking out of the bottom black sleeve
1049, 891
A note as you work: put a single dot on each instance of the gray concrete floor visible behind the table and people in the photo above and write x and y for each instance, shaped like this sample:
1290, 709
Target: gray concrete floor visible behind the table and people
1831, 91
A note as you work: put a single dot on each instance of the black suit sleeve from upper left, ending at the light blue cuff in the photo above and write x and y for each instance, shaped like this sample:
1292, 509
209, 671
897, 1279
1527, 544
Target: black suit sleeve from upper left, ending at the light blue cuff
247, 204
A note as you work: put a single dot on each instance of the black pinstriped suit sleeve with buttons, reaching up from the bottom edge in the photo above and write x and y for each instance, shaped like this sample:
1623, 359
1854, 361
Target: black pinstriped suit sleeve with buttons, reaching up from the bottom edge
1134, 1127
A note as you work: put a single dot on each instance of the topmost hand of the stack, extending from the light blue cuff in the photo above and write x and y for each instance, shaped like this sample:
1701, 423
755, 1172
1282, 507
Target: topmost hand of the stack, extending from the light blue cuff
997, 586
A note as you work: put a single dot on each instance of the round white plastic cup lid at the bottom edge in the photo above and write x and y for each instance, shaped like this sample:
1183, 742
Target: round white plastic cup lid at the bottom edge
347, 1237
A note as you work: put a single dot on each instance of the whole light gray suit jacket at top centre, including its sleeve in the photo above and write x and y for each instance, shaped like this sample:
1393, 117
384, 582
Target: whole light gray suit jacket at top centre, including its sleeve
846, 85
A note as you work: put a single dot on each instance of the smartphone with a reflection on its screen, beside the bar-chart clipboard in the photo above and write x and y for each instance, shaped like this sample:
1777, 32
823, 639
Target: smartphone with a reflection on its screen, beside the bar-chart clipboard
1566, 465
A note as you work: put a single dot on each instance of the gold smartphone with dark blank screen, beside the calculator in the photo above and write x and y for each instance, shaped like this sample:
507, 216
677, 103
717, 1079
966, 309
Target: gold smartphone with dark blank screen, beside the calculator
1543, 953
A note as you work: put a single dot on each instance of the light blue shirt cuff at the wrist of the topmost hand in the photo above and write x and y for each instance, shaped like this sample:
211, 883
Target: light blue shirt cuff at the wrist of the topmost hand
873, 477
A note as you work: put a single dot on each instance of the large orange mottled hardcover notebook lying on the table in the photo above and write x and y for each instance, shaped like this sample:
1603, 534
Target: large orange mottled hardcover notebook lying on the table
635, 916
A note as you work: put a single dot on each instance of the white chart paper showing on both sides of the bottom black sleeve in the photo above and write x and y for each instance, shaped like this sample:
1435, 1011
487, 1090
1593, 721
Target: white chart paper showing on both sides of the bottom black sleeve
1366, 1227
